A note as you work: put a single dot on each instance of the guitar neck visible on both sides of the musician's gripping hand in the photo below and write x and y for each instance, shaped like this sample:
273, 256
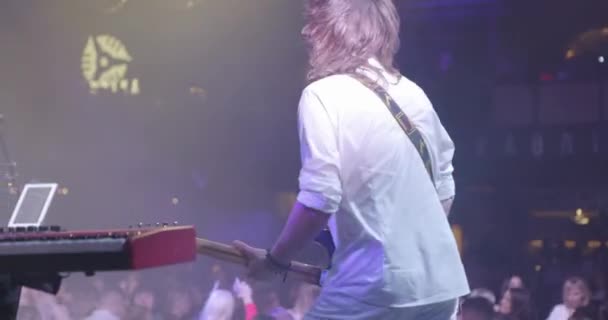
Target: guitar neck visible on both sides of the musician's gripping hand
299, 271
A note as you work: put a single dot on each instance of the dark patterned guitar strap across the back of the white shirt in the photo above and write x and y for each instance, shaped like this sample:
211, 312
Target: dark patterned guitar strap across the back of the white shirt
404, 122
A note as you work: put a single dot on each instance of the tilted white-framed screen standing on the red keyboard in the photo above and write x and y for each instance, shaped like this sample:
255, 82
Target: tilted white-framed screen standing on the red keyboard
32, 205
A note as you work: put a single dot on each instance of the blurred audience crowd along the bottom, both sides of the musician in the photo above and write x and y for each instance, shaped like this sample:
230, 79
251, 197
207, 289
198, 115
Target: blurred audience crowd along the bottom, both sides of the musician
215, 293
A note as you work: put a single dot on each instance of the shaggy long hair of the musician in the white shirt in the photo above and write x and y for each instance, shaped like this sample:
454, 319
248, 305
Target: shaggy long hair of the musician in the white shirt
344, 34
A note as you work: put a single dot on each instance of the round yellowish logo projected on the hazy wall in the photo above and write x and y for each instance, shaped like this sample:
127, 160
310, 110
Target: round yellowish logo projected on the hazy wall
105, 61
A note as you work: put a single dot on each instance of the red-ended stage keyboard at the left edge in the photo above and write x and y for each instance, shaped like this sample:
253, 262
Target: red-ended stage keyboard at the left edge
52, 250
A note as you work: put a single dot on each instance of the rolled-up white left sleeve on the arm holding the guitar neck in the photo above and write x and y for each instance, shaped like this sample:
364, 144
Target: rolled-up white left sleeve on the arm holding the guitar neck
319, 180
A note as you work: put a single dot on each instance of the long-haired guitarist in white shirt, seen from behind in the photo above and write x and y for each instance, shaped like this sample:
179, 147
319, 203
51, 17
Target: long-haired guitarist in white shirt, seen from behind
384, 195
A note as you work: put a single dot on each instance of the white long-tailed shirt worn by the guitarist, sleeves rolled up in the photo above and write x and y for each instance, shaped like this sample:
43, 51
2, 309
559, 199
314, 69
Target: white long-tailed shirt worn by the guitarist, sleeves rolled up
394, 246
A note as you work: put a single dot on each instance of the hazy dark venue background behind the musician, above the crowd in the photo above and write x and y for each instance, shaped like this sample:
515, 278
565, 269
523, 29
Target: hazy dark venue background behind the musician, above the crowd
496, 71
